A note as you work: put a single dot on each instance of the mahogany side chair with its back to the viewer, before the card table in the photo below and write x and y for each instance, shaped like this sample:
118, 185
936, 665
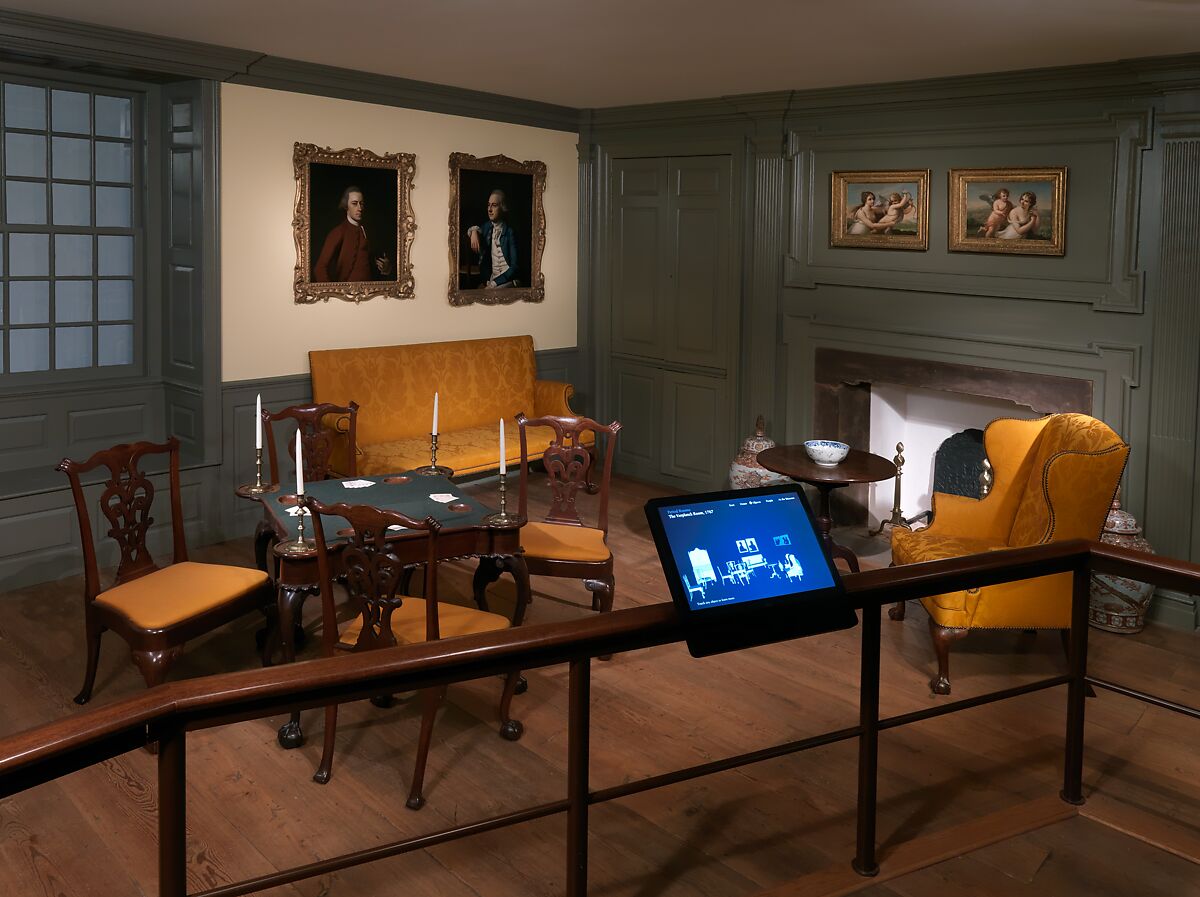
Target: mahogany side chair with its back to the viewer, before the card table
387, 618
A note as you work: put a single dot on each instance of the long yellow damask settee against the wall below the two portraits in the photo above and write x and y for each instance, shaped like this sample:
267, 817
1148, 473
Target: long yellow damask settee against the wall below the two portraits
478, 382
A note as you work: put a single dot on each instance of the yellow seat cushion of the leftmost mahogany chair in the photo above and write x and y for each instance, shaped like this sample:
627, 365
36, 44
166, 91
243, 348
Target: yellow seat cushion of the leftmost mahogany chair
194, 589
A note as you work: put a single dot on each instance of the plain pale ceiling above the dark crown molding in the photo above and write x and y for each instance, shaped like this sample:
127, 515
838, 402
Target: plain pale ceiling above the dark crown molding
622, 52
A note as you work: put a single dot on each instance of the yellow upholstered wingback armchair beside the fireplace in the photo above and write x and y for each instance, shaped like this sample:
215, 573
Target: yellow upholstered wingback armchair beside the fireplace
1055, 479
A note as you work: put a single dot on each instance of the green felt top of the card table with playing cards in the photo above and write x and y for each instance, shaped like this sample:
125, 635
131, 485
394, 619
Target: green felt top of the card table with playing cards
407, 493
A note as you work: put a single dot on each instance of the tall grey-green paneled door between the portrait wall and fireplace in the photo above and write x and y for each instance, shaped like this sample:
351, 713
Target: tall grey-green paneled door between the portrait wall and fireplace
675, 314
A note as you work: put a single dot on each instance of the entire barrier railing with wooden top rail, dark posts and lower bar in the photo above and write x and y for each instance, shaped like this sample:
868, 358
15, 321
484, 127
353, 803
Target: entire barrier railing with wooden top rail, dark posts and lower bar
166, 714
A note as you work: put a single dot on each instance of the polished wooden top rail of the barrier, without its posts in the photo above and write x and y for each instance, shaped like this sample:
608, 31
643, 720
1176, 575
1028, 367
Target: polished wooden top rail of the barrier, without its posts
74, 743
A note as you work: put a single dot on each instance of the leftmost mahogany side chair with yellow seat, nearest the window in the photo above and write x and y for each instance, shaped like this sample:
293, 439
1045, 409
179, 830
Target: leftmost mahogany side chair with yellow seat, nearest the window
157, 610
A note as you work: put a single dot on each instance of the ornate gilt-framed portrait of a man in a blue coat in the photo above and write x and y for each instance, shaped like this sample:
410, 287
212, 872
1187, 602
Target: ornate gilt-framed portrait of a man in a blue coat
497, 231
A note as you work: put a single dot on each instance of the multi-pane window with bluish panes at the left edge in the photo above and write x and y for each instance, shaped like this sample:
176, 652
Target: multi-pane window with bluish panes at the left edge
69, 233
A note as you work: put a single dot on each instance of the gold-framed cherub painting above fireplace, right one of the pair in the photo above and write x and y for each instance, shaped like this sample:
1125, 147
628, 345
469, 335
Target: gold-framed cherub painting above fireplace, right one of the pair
1019, 212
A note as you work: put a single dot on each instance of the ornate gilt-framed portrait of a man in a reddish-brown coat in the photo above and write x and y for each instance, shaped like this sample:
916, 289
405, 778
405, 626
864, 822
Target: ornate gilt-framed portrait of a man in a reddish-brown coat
353, 225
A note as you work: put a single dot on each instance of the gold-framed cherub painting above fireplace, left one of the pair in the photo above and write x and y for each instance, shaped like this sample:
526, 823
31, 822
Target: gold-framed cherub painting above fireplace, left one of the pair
880, 210
